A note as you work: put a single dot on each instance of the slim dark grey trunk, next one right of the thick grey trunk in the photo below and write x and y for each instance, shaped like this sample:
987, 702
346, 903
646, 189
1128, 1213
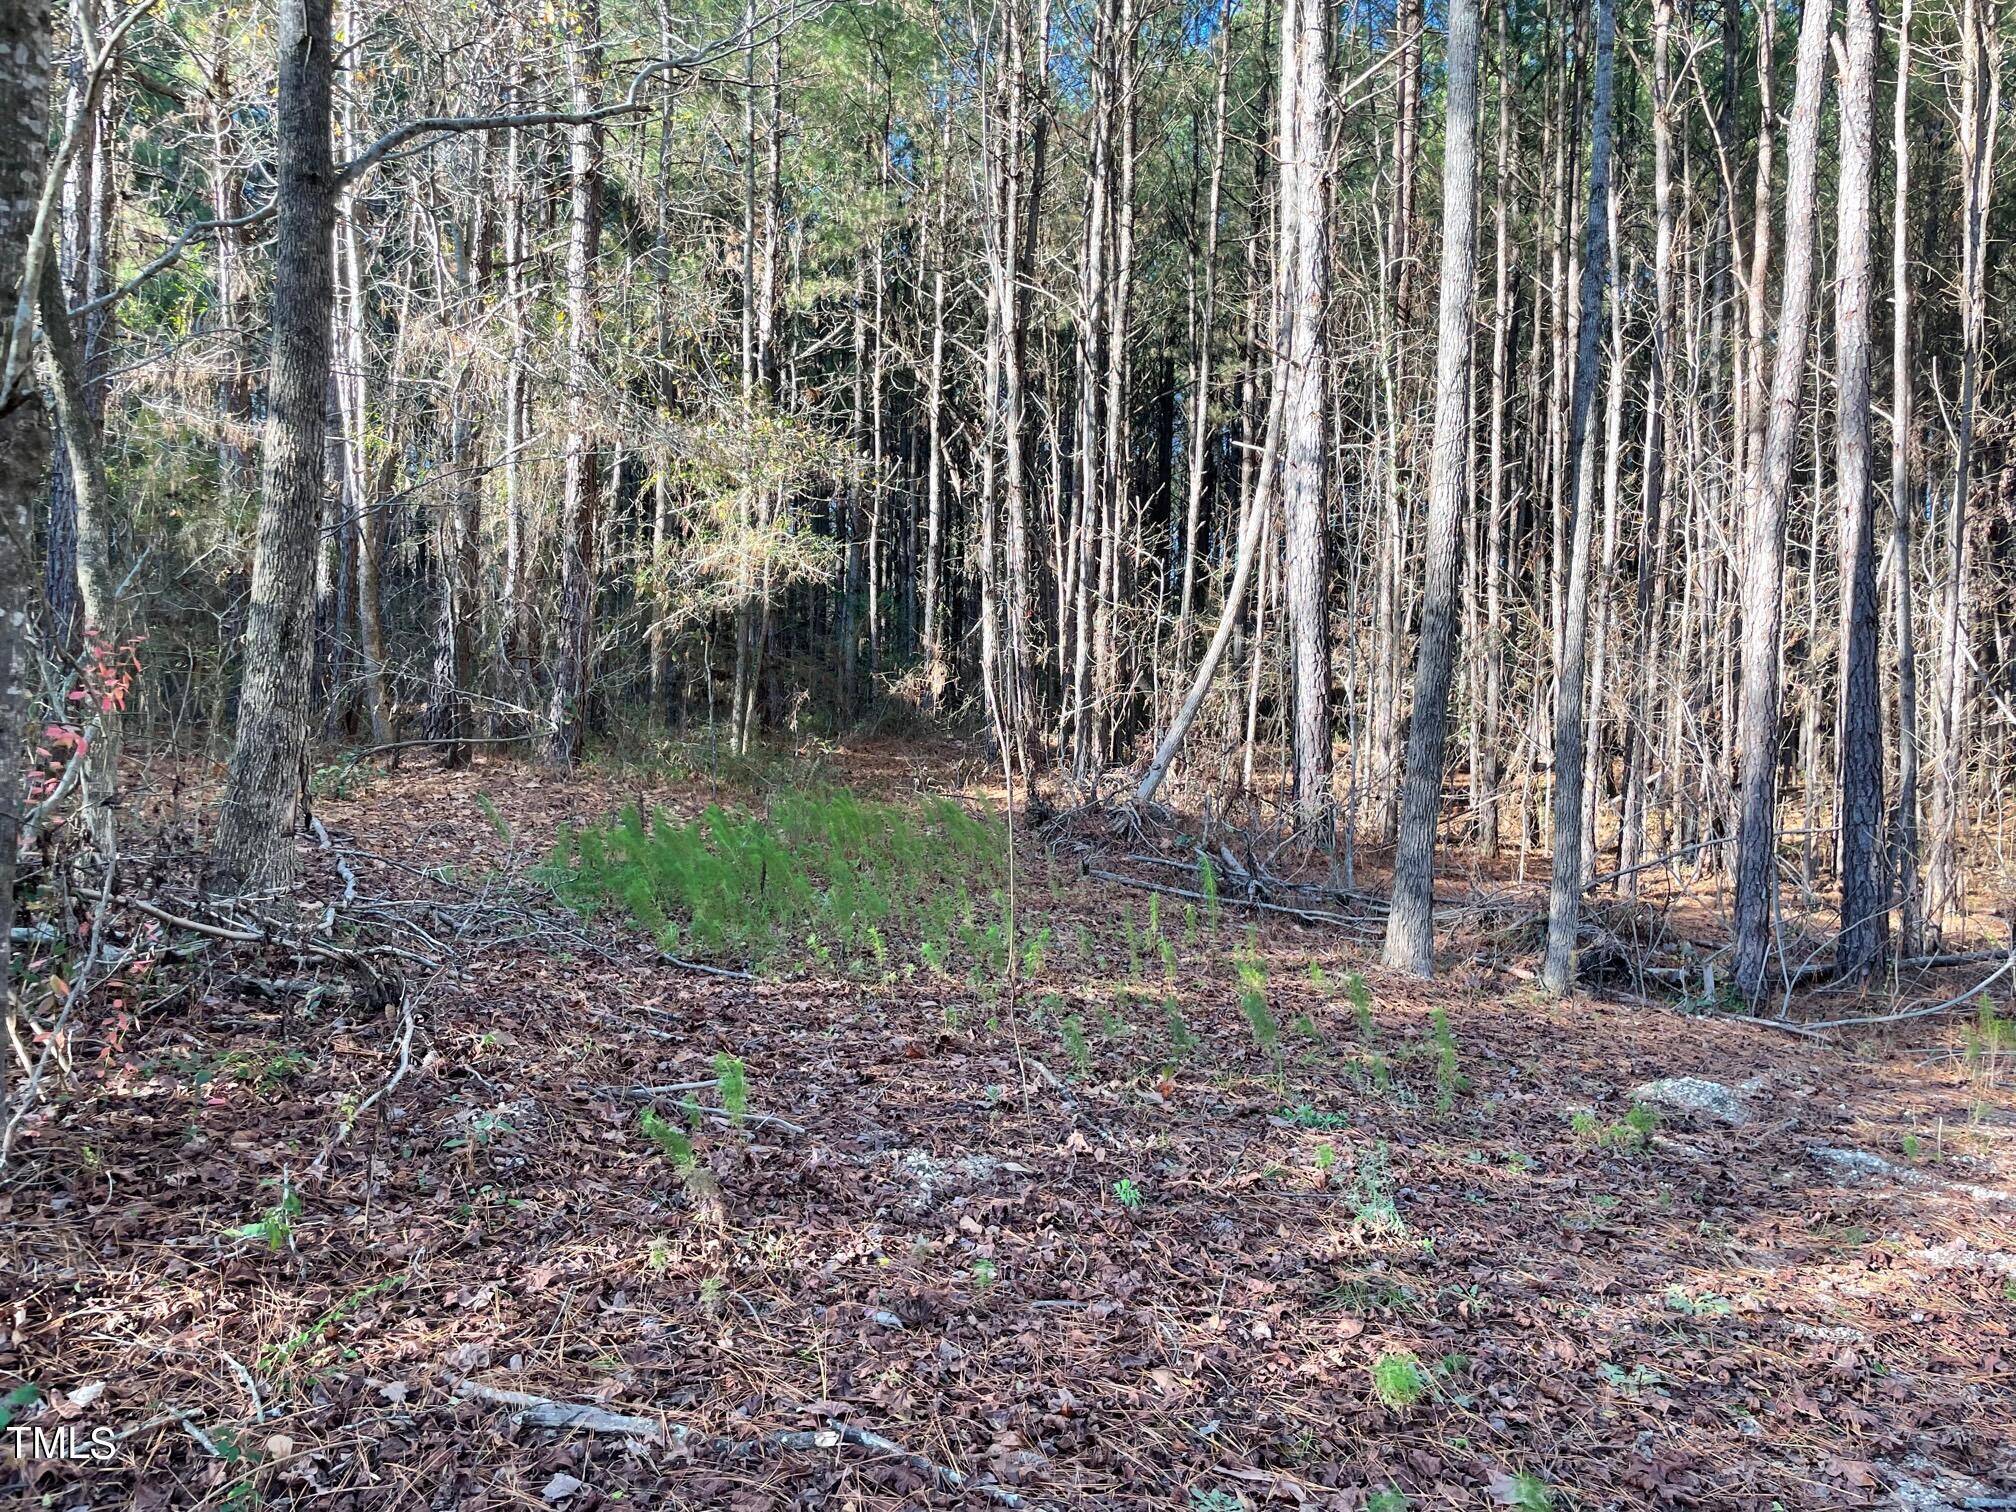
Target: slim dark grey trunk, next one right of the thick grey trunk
1565, 894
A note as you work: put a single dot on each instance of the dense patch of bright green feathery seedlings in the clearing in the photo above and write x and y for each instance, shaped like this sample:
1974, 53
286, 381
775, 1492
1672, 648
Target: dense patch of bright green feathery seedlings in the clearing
822, 880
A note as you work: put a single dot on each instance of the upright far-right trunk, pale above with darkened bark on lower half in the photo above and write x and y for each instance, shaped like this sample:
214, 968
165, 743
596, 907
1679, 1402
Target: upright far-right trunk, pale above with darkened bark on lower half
1860, 743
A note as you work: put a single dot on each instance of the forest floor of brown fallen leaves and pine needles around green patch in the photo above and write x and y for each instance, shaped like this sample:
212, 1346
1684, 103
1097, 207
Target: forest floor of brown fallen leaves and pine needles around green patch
1082, 1255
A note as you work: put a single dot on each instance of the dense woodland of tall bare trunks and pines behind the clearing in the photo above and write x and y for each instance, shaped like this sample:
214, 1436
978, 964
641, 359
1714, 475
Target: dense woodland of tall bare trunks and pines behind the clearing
1561, 428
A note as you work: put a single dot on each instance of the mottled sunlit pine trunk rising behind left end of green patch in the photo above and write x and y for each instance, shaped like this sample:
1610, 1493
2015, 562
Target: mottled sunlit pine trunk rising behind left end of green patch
576, 640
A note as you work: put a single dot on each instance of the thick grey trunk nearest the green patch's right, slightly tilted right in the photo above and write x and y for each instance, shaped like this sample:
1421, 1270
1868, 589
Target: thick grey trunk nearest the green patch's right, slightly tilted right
1410, 942
